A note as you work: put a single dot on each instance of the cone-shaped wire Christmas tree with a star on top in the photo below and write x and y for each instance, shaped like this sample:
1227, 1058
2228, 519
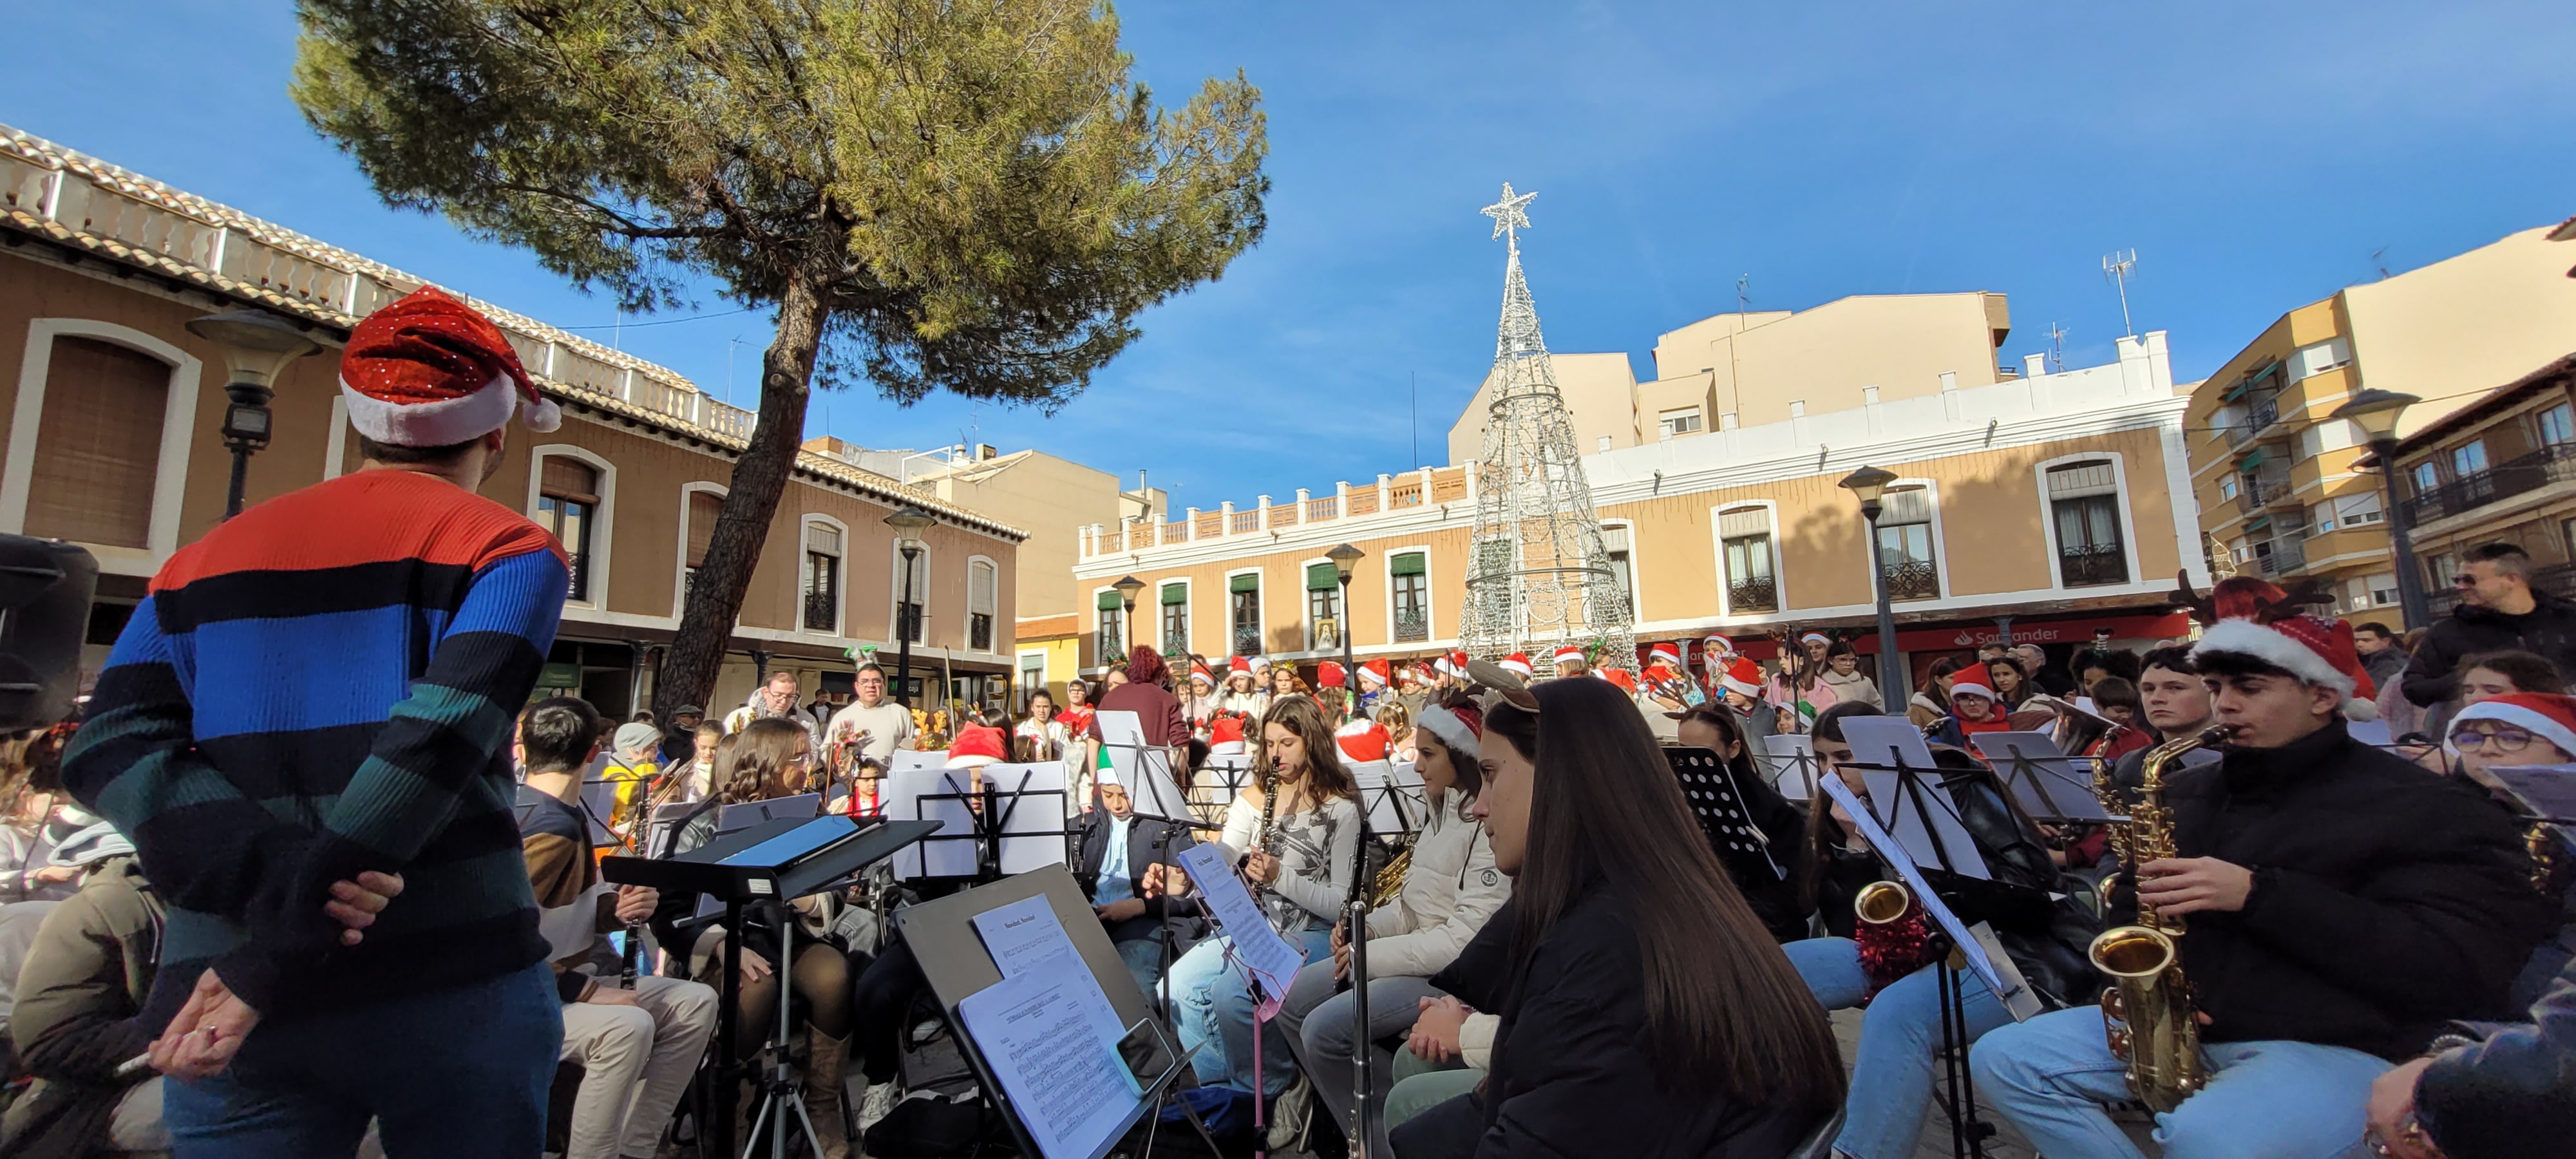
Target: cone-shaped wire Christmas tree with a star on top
1539, 573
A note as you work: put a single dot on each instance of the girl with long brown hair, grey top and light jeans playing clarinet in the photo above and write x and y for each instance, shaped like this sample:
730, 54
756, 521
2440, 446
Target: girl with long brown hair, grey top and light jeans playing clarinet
1300, 874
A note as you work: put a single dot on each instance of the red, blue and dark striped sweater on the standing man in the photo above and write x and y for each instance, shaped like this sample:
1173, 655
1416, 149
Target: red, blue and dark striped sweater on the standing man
326, 686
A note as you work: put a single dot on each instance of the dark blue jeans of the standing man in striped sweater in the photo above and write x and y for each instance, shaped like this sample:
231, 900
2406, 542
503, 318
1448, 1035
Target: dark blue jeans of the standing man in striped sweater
447, 1075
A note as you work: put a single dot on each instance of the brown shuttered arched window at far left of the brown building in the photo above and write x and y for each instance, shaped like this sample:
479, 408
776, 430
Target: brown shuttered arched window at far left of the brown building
99, 444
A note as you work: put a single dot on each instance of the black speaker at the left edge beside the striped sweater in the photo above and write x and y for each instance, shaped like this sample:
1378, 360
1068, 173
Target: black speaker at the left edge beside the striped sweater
45, 614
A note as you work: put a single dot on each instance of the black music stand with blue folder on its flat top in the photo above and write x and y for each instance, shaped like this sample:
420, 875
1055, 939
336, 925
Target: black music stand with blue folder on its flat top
805, 864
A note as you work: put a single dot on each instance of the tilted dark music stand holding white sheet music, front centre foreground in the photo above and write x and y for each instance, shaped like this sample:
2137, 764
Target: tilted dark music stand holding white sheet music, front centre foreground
957, 967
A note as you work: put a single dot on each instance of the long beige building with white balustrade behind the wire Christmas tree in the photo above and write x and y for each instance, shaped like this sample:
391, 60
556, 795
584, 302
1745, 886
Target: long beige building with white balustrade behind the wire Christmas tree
2036, 504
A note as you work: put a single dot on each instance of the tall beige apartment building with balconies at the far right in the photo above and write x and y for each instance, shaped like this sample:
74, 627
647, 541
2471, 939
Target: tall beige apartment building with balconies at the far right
2278, 480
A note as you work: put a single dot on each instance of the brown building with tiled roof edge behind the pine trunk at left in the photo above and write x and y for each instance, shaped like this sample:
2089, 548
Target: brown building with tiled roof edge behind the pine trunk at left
115, 442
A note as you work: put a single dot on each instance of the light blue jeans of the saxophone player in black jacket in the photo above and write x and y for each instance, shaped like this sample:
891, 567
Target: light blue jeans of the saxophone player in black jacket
2266, 1101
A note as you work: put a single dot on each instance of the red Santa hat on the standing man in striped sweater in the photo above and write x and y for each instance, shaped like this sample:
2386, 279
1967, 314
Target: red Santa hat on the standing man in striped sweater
434, 372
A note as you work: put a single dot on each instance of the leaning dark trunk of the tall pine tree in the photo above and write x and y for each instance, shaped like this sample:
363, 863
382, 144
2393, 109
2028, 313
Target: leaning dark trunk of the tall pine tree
751, 504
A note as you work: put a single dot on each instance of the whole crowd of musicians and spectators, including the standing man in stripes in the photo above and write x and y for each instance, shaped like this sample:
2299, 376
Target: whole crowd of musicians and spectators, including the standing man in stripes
316, 872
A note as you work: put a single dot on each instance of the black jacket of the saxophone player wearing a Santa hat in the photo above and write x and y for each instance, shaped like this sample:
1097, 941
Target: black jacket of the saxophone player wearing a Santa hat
2387, 900
